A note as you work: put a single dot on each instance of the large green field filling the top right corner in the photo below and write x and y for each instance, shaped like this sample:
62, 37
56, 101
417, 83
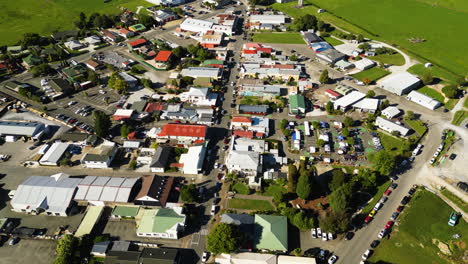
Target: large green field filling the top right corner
438, 24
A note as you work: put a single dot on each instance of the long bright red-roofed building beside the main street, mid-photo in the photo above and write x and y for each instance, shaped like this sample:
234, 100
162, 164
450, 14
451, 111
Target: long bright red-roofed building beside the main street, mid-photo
187, 133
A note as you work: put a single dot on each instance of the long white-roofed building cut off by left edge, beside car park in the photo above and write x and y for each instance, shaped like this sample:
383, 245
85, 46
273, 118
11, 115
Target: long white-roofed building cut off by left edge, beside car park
11, 130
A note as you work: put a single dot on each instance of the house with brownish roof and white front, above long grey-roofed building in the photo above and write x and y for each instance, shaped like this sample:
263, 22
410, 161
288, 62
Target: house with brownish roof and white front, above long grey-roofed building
100, 158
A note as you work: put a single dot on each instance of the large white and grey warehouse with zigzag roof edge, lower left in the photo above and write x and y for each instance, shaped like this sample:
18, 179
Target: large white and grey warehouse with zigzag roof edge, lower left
50, 195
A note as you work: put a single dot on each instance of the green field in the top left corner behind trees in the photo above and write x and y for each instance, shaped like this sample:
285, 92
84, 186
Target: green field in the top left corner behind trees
44, 17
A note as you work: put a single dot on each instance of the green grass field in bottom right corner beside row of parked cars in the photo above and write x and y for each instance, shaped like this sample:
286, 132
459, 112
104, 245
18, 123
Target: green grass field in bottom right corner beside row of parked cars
423, 224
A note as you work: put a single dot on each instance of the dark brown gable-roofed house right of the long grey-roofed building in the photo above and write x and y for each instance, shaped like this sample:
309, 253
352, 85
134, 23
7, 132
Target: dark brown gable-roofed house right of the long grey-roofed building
155, 190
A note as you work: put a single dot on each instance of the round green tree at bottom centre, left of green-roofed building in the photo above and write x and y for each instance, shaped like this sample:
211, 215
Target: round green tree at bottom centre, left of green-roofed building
224, 238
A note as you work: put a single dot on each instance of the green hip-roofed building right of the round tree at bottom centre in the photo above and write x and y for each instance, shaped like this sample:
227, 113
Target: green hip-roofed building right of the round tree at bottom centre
271, 232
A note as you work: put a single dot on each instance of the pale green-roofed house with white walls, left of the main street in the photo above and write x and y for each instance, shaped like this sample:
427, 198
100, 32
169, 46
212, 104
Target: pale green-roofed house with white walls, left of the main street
162, 223
